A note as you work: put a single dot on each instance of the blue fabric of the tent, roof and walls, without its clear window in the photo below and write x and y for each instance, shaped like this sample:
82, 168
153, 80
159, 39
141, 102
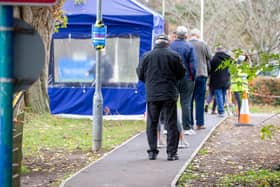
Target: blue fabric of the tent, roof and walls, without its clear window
123, 18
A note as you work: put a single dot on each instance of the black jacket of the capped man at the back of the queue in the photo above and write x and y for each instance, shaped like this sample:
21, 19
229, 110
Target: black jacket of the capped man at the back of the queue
160, 69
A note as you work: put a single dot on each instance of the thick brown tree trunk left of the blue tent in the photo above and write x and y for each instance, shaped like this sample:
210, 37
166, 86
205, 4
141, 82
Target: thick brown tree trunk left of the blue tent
42, 20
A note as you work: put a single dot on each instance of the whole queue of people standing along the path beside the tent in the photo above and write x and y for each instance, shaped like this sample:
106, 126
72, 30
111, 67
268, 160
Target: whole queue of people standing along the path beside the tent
180, 67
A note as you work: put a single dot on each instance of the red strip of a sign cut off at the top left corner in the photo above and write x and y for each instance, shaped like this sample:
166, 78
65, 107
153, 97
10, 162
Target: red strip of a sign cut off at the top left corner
28, 2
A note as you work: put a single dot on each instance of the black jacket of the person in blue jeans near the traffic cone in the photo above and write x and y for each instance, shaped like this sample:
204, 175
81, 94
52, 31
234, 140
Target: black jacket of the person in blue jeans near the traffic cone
219, 79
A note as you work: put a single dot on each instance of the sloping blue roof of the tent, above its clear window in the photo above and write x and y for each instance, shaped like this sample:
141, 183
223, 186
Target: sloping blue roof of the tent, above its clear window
114, 11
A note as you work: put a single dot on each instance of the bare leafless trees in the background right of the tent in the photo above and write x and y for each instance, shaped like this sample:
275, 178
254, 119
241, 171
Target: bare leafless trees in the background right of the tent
247, 24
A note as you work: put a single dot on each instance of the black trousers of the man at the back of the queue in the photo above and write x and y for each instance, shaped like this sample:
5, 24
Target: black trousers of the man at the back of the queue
169, 109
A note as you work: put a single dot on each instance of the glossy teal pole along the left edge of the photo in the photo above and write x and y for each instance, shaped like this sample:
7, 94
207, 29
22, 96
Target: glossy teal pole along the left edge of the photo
6, 95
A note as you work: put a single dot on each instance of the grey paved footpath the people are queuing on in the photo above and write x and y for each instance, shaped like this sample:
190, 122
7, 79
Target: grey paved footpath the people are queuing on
128, 164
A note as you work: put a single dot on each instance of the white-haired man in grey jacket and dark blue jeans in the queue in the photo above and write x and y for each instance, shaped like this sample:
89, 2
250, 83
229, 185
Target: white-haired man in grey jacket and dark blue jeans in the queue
202, 68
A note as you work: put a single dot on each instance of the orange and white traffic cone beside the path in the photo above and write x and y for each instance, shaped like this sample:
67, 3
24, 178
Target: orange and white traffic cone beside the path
244, 118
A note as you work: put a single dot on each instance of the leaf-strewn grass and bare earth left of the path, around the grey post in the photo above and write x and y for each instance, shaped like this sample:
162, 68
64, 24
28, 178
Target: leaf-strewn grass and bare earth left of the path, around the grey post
54, 148
